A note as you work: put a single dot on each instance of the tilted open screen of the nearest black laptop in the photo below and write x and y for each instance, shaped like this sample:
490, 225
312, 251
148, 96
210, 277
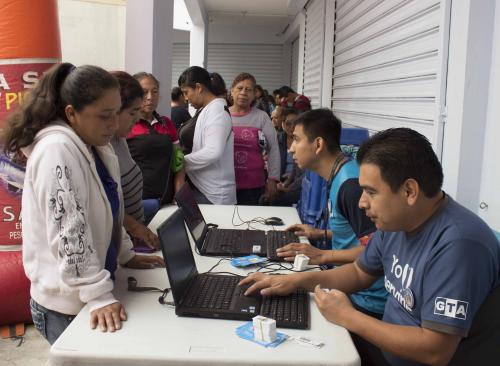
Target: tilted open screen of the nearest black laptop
177, 253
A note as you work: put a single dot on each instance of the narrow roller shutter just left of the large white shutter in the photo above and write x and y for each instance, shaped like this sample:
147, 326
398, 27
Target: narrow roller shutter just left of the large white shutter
313, 51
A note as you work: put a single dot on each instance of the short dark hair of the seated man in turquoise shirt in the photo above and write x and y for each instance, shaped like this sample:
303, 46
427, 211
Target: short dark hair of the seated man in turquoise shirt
321, 123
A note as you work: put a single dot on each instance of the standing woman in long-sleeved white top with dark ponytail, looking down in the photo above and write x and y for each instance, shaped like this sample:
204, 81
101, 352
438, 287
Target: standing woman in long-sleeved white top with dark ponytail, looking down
210, 165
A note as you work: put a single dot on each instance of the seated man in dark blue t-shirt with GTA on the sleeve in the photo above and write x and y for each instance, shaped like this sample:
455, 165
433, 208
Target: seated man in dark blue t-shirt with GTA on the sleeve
440, 261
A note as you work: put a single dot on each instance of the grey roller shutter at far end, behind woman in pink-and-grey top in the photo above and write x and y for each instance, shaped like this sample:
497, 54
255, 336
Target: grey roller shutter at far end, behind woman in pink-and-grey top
263, 61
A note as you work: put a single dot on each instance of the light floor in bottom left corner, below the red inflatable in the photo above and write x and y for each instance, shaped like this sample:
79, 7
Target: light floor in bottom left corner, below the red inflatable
33, 350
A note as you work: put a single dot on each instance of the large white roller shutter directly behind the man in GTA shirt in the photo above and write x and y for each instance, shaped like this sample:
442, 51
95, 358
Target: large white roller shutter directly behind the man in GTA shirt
388, 65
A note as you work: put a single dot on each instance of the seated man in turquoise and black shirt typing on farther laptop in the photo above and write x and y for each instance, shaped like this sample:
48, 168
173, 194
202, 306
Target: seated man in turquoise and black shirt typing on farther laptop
316, 146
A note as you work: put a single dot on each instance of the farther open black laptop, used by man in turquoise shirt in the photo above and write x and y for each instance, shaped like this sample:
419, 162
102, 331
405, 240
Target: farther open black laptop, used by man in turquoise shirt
213, 241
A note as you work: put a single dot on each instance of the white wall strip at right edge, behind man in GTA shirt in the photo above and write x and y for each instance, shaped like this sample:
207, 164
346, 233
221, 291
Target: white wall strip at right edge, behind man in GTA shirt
490, 178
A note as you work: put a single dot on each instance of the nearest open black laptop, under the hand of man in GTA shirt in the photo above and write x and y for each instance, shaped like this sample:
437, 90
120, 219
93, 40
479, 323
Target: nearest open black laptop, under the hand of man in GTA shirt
219, 296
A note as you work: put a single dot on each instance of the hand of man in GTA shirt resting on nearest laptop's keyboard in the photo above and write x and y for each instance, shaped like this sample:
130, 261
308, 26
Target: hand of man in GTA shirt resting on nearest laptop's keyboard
269, 285
